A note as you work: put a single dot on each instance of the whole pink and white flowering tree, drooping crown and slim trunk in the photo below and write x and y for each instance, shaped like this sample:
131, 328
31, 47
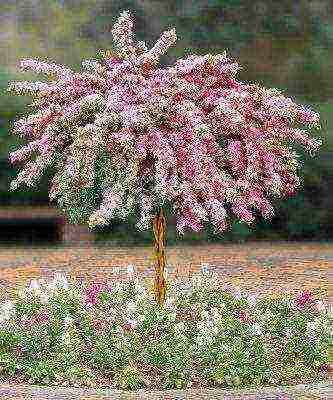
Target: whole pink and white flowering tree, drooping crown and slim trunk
126, 136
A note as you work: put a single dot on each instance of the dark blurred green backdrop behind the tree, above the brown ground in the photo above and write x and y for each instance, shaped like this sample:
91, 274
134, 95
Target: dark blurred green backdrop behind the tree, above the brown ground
285, 44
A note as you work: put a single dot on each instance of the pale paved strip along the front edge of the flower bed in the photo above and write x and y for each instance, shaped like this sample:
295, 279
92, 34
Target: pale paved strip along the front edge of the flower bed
321, 391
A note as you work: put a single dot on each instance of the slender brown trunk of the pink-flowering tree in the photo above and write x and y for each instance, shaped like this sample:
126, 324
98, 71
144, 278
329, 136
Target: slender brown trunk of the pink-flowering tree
159, 224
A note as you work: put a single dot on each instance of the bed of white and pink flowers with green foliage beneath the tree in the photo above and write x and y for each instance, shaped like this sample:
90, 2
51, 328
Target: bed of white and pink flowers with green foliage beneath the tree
113, 334
